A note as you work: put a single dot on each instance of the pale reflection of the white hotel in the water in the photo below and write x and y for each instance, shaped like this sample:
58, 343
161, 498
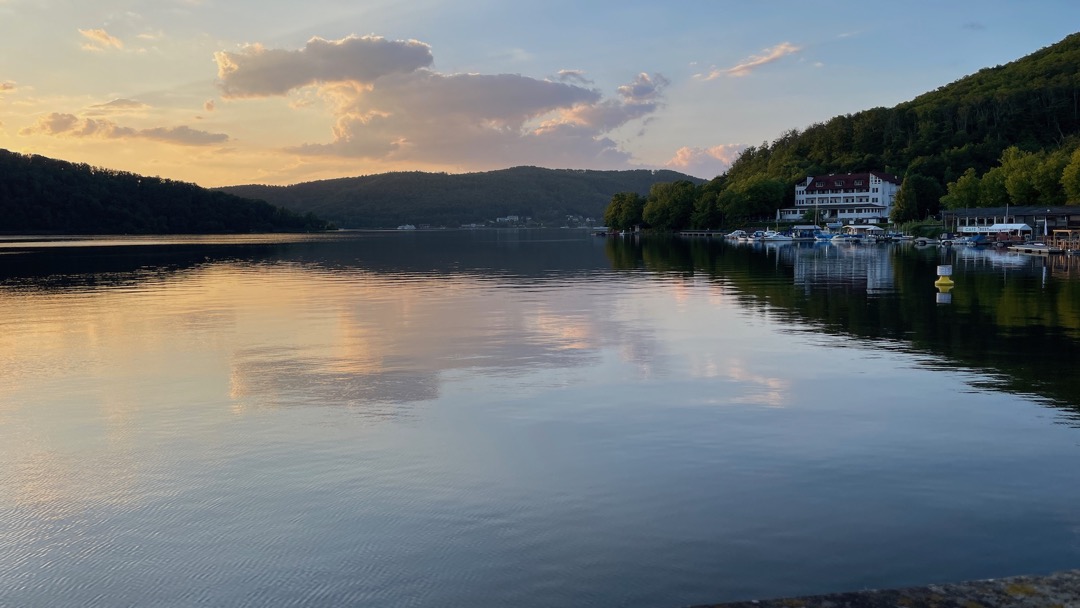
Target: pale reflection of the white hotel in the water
855, 267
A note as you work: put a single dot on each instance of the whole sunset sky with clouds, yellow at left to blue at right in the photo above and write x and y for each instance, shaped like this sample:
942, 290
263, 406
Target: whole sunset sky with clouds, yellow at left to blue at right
231, 92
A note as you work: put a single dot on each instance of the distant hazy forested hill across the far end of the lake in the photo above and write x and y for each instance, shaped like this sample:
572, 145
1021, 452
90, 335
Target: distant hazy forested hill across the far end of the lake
440, 199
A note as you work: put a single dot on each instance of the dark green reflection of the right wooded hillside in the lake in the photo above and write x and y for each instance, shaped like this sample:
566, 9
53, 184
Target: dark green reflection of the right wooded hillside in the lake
1016, 318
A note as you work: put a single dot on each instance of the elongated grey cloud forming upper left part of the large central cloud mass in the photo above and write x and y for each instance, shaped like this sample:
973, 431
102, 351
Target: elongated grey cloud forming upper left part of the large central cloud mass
258, 72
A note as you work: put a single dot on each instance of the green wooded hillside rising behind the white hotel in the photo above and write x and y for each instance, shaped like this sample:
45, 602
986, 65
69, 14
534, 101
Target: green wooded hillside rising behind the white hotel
1004, 123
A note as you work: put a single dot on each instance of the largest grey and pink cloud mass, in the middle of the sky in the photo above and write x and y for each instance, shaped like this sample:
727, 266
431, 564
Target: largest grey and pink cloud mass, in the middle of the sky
388, 105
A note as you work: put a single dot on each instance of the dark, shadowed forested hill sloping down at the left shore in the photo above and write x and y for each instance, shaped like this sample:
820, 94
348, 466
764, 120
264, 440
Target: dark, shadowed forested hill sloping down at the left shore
40, 195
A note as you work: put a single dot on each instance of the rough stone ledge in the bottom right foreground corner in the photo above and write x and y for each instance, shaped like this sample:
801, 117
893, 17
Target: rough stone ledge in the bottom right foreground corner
1058, 590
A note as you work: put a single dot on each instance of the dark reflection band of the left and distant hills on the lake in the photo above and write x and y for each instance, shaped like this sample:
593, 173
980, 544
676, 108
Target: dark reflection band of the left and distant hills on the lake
522, 254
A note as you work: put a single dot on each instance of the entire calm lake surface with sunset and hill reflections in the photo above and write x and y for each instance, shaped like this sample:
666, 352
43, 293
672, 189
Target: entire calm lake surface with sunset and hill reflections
534, 418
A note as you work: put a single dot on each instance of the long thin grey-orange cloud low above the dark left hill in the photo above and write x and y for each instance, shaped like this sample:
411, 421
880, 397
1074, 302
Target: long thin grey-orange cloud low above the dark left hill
70, 126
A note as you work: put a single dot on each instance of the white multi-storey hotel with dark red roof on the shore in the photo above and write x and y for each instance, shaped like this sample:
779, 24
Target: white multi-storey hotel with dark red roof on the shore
852, 198
